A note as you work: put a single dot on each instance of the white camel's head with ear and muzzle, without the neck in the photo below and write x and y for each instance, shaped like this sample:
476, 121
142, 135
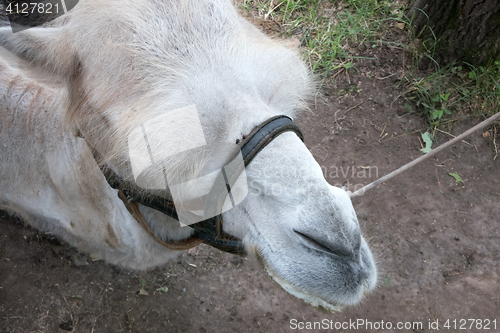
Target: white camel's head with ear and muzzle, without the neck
129, 63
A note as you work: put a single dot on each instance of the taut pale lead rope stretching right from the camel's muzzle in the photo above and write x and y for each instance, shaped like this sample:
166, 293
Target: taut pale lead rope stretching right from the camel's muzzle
481, 125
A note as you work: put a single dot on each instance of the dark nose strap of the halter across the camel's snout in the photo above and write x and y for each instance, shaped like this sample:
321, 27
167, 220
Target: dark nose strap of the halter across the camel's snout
211, 230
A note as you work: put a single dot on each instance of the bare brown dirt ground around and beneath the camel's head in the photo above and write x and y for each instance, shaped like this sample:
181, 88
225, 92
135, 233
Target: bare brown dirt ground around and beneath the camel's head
437, 242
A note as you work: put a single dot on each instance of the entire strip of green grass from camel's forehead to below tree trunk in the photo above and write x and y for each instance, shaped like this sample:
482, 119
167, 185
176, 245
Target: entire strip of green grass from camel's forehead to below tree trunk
332, 33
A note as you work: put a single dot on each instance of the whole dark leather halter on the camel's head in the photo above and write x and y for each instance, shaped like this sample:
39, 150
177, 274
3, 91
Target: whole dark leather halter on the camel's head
209, 231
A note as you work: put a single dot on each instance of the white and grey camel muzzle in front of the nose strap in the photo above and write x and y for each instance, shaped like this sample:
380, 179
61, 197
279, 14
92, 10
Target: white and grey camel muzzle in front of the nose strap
304, 231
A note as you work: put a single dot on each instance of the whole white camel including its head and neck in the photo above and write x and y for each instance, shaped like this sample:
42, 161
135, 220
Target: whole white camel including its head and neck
95, 75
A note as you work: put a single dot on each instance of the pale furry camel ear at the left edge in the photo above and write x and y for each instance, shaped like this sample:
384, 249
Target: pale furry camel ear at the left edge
44, 48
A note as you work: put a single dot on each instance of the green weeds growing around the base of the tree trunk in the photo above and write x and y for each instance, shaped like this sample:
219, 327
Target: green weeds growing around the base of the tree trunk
441, 93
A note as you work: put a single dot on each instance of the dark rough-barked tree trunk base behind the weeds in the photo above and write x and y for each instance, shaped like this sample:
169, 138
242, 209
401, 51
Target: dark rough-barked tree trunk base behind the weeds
464, 30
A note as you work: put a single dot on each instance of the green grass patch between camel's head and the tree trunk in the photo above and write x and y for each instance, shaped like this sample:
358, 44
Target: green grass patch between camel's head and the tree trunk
329, 30
